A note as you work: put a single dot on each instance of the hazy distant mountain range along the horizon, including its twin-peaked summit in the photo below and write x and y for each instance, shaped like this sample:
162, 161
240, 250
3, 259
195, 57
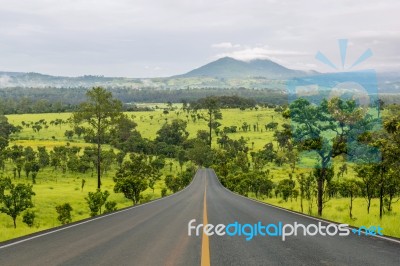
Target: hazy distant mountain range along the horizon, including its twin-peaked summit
223, 73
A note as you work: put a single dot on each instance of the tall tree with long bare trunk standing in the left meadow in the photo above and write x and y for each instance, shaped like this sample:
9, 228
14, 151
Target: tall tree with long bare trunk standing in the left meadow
97, 115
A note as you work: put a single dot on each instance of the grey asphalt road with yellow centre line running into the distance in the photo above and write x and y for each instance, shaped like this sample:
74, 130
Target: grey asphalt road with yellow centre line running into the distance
157, 234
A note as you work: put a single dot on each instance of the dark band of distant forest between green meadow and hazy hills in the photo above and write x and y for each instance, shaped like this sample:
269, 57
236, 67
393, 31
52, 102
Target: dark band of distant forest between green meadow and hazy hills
55, 100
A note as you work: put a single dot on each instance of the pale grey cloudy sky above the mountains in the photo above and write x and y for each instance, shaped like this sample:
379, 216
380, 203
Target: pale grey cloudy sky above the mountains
142, 38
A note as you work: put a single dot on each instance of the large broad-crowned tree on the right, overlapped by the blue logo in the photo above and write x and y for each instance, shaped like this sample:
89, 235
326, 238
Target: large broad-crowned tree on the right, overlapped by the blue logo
327, 129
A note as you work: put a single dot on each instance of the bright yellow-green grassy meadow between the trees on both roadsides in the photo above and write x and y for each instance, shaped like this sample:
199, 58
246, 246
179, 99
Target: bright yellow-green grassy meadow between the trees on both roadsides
53, 188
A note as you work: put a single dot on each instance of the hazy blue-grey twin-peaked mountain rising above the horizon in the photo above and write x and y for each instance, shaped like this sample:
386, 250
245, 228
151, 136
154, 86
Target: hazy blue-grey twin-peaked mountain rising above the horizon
228, 67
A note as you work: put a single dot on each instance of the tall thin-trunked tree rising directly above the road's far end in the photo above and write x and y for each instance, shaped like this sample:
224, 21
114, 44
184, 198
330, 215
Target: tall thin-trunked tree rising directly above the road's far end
213, 113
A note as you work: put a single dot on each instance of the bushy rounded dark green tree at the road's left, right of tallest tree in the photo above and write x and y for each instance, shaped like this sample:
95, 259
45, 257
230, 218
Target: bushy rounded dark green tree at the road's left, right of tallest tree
132, 177
